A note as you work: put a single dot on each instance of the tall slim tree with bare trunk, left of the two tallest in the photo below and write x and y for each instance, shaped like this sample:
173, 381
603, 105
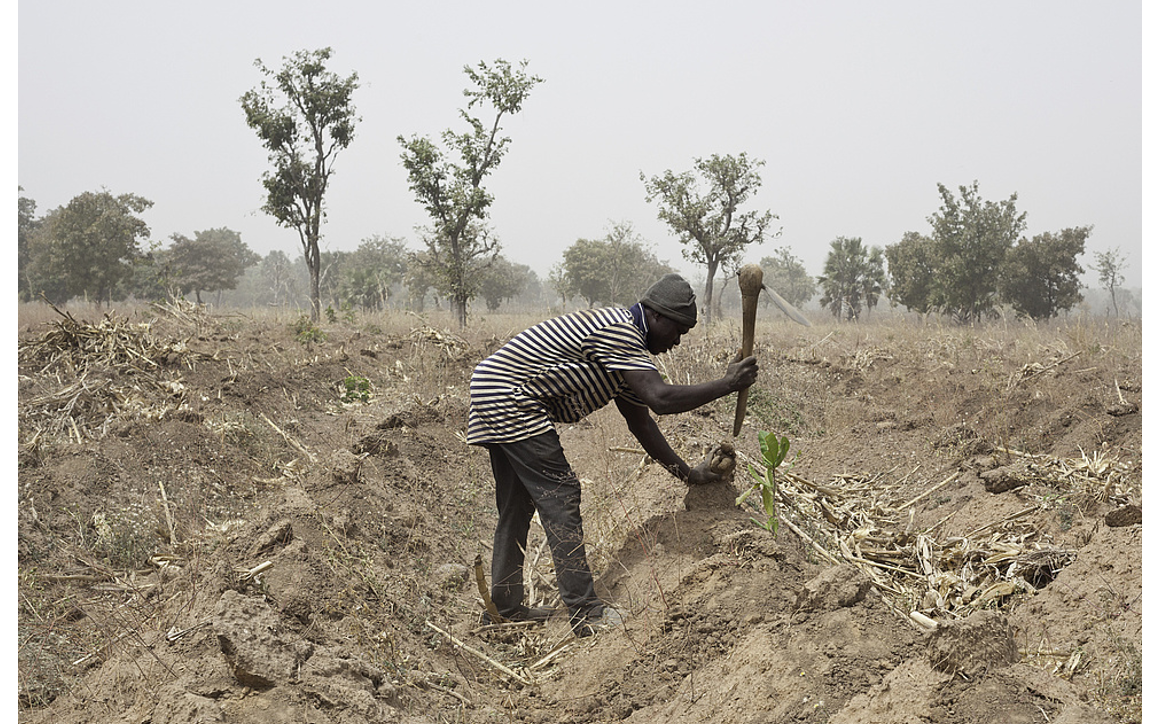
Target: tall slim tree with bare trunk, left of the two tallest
304, 115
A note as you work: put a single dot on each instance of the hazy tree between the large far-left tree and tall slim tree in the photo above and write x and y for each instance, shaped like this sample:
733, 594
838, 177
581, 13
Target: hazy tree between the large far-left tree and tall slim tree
213, 261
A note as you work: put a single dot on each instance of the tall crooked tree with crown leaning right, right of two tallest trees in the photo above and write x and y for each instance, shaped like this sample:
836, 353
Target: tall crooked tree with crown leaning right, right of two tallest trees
459, 245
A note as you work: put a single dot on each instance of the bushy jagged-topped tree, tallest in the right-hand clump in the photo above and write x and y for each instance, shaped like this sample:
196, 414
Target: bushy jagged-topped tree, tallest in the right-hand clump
971, 241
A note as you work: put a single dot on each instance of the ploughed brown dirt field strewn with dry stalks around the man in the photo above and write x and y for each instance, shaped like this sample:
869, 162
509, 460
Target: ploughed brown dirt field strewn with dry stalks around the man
227, 518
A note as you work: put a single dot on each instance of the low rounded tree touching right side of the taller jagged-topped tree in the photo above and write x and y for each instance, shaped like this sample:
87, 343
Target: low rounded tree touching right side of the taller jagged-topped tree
1040, 276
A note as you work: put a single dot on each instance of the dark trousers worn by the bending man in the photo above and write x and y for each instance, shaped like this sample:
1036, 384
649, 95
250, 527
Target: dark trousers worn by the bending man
534, 475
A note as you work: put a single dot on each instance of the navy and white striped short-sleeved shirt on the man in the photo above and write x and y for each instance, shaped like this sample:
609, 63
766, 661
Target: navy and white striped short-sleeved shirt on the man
559, 371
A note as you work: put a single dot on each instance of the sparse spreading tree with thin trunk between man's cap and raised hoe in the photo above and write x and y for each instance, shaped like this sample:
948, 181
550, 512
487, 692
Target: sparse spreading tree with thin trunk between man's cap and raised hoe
702, 210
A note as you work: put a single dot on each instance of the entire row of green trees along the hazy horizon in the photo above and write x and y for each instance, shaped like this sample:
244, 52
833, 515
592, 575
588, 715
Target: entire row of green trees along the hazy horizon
975, 264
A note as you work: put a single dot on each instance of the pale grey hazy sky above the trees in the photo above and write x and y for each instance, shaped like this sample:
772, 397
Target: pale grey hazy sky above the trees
858, 111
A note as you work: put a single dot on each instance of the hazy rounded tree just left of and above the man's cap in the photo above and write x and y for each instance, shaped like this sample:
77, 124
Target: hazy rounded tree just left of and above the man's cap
616, 269
